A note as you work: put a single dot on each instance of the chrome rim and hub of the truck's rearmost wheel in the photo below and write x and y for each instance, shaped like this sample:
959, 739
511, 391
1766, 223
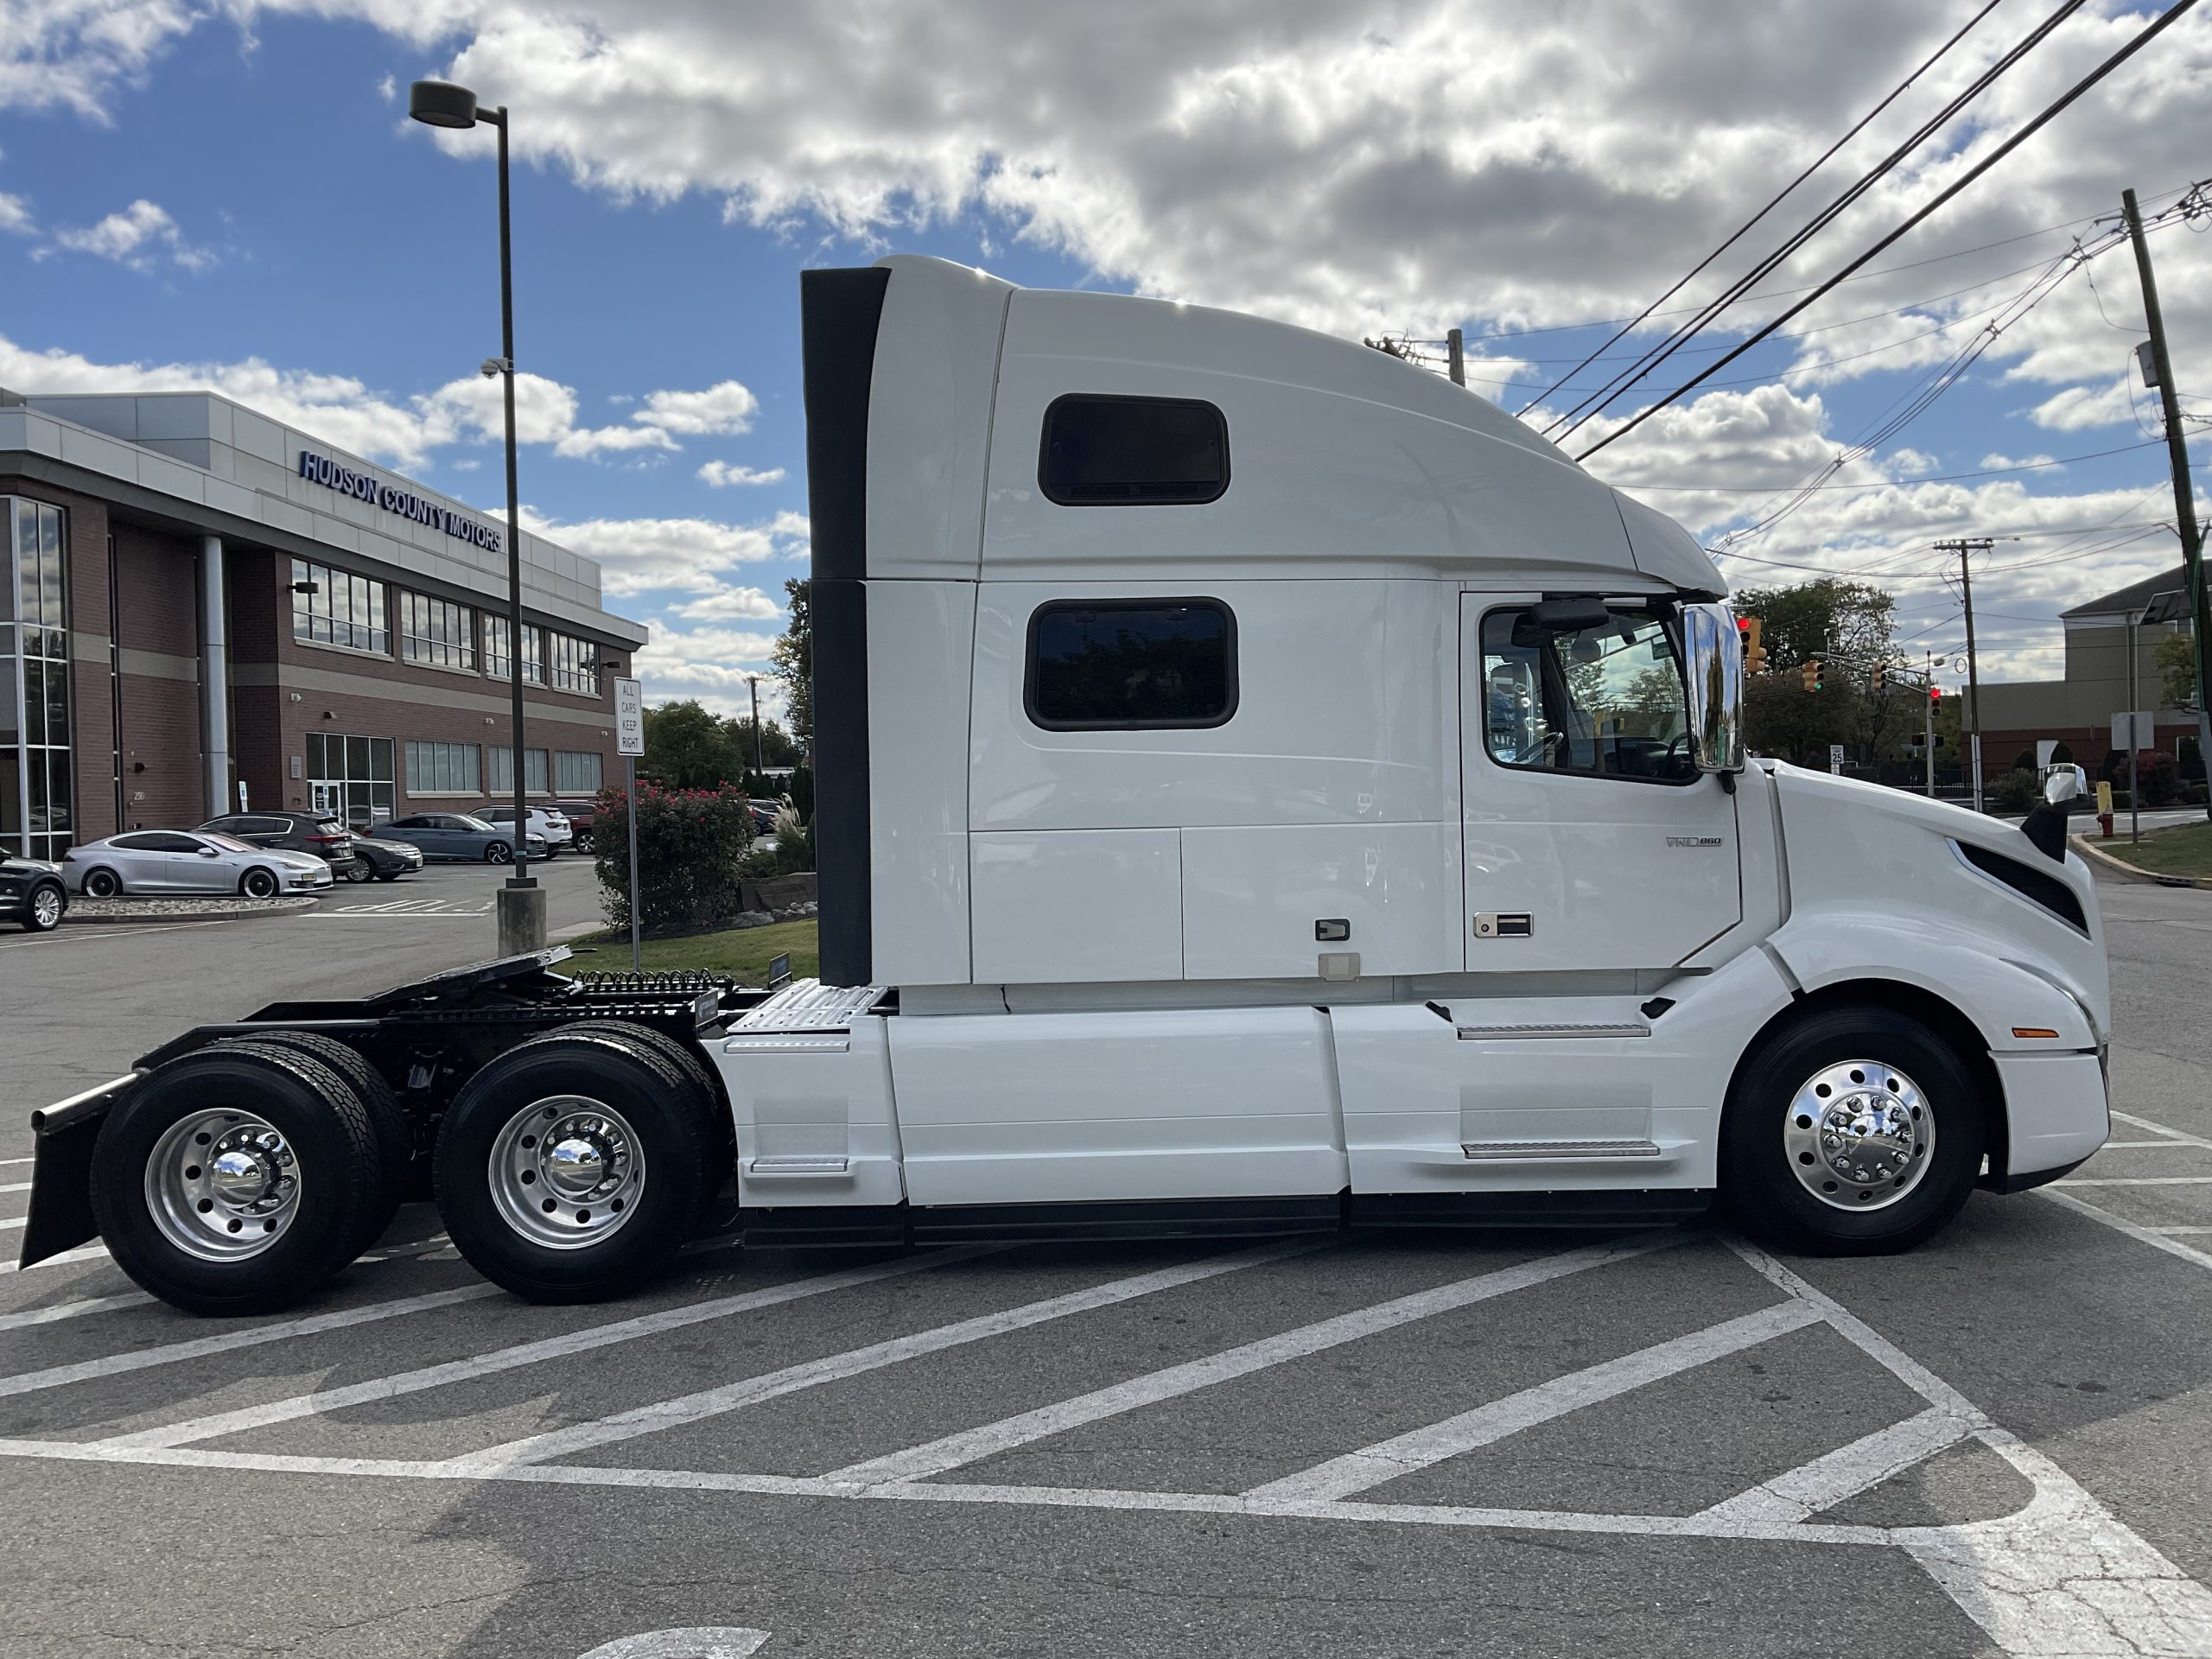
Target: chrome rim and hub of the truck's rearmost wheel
222, 1185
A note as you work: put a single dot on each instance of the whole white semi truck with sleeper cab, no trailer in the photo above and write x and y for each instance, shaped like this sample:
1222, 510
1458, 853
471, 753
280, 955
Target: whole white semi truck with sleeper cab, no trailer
1264, 789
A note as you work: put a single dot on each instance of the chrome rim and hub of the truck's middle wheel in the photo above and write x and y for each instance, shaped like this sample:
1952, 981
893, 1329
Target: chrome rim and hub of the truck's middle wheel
567, 1171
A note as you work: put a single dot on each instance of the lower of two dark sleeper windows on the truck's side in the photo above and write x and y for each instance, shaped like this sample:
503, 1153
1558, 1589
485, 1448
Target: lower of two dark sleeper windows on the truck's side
1125, 665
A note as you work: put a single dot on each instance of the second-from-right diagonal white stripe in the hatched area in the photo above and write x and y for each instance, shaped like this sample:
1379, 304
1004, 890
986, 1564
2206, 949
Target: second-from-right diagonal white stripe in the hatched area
1459, 1434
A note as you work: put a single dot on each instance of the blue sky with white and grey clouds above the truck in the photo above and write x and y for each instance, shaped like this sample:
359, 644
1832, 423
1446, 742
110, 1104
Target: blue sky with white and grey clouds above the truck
238, 200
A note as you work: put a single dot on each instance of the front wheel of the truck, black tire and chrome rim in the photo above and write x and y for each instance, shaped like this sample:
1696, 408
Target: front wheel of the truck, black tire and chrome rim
1853, 1131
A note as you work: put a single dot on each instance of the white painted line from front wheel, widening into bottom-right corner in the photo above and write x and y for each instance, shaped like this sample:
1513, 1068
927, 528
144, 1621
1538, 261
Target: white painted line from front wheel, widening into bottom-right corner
2065, 1576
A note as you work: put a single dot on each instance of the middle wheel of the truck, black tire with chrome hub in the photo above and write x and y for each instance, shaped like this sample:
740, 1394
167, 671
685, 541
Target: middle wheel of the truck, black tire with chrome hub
570, 1169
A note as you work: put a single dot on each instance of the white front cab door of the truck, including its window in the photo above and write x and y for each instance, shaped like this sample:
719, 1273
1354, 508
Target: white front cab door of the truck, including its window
1592, 839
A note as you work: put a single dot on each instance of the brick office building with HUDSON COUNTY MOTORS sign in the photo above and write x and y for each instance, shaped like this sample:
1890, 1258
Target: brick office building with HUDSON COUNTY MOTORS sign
200, 605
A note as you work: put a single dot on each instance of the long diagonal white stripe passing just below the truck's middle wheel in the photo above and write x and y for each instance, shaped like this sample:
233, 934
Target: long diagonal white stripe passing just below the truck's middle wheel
550, 1348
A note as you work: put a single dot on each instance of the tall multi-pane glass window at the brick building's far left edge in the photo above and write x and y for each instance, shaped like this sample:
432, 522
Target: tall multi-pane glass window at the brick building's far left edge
36, 775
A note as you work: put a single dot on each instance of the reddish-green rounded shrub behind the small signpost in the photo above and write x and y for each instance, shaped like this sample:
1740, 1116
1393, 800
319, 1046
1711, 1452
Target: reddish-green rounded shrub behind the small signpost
689, 851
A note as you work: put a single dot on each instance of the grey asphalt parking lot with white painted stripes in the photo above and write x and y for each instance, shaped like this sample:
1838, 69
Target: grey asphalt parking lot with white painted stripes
1399, 1446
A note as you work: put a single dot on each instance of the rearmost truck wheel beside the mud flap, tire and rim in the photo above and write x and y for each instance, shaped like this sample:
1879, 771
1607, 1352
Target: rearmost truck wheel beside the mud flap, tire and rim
233, 1180
